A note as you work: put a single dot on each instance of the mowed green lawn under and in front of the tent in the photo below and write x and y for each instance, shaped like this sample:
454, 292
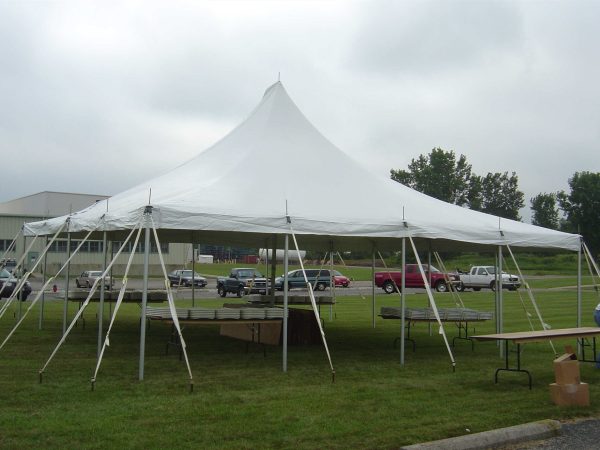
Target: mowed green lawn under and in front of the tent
244, 400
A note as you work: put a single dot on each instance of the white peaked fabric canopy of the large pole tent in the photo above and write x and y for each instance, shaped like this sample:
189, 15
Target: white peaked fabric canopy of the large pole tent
276, 164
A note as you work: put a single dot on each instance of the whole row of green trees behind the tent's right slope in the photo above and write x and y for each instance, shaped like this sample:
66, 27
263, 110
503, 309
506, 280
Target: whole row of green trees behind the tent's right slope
442, 175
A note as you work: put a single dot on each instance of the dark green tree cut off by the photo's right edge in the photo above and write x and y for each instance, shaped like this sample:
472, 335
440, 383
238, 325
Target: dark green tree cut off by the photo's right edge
582, 207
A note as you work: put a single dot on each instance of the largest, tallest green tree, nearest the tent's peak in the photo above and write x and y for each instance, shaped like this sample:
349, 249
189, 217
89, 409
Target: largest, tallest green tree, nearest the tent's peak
438, 174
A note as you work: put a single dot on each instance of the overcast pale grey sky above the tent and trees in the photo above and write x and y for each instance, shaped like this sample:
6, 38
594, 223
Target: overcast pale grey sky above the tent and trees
96, 97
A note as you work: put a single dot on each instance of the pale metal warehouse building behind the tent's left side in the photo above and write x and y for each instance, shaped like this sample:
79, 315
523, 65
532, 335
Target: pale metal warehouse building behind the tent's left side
45, 205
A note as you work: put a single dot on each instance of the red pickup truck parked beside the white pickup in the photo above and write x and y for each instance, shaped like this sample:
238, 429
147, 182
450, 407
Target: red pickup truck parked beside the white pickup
390, 279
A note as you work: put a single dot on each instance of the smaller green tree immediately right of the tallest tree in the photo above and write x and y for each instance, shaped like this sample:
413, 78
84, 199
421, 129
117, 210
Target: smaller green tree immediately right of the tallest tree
501, 196
